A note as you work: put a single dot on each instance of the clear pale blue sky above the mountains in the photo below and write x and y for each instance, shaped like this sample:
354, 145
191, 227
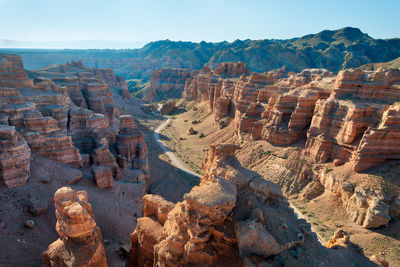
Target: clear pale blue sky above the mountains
132, 23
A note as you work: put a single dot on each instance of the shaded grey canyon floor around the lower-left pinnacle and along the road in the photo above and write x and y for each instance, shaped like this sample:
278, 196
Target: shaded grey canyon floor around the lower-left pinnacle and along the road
23, 246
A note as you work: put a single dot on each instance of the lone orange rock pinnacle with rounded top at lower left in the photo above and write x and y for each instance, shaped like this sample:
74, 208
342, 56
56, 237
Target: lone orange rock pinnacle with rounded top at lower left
80, 242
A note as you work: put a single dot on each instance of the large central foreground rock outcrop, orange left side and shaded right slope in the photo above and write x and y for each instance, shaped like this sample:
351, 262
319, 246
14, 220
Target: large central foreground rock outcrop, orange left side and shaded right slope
231, 216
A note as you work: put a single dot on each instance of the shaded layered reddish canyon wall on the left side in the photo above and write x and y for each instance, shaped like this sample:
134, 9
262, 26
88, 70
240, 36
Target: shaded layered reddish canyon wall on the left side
66, 113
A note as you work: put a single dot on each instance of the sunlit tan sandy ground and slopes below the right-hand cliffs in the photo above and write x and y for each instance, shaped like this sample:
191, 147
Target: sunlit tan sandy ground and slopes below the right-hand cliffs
324, 212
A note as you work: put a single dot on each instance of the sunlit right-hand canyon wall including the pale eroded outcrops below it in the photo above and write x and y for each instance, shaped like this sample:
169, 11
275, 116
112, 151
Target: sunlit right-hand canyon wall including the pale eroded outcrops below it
350, 119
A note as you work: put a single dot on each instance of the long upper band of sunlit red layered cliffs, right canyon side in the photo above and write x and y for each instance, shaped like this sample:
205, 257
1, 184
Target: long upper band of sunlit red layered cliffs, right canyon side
342, 118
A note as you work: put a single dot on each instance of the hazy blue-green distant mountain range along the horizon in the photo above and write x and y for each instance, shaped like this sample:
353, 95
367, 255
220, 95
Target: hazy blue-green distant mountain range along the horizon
333, 50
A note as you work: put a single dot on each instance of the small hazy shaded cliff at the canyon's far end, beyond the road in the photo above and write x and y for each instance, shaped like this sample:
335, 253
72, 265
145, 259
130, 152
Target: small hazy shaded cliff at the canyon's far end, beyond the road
166, 83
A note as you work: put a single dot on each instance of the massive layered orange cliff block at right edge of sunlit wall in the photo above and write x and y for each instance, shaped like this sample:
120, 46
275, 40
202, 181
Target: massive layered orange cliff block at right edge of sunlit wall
350, 123
